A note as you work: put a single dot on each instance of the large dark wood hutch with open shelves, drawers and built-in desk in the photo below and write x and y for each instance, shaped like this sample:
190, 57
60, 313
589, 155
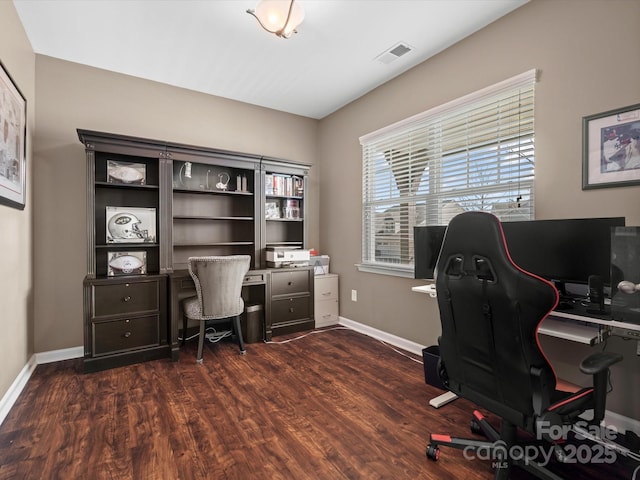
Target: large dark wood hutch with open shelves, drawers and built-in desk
150, 206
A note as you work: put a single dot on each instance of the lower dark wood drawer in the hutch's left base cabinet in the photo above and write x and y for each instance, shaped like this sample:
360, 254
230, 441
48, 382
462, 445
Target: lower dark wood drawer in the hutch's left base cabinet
118, 335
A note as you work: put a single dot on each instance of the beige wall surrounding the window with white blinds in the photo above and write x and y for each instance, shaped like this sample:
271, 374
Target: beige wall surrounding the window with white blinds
587, 54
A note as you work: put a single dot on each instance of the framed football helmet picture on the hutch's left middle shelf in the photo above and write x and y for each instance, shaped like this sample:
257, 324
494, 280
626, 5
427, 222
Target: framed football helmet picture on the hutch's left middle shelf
131, 225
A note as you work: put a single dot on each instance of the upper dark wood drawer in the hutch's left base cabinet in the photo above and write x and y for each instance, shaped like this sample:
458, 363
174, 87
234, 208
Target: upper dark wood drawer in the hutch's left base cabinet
122, 298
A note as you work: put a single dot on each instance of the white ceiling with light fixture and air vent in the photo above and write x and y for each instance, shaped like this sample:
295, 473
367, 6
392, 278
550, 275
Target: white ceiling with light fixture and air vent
214, 46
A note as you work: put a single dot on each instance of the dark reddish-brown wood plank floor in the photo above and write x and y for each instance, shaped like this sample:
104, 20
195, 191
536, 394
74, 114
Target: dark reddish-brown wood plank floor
333, 405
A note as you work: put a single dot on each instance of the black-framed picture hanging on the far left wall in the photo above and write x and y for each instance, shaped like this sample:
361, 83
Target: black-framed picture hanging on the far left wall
13, 142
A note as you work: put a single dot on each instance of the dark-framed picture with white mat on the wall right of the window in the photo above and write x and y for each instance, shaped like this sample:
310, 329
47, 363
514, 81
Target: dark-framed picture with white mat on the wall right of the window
611, 148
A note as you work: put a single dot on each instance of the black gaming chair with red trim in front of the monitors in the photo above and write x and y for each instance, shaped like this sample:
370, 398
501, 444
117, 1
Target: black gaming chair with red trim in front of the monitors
490, 310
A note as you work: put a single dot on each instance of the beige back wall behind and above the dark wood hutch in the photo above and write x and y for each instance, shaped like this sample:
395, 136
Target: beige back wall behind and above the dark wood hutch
72, 96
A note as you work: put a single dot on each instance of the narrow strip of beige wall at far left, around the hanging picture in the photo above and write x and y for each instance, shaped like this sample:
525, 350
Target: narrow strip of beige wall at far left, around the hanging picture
16, 281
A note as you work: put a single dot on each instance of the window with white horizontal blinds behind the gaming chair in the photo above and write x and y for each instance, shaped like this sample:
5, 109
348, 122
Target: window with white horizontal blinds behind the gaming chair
475, 153
